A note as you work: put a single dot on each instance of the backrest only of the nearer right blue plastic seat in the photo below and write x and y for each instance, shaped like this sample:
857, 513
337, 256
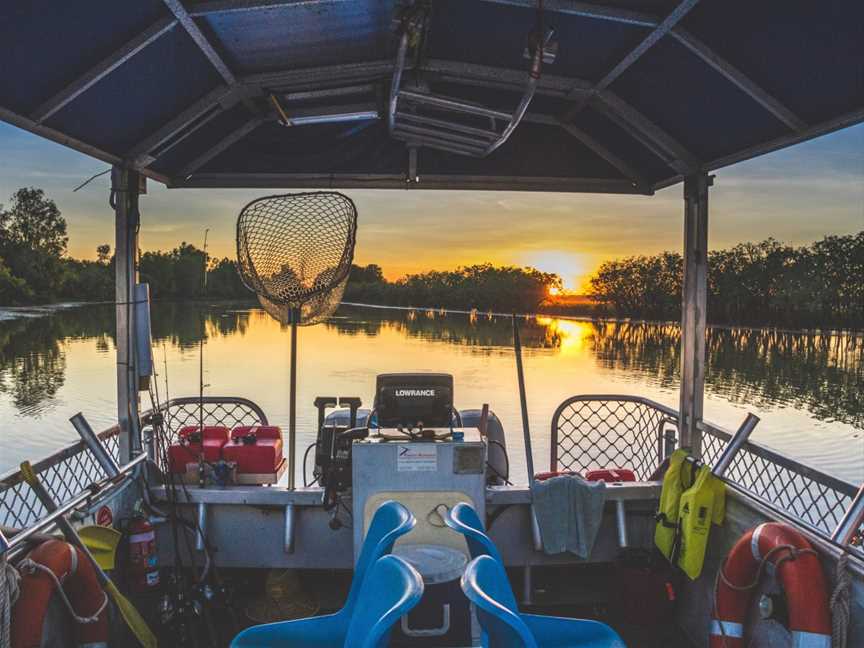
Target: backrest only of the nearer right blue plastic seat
486, 586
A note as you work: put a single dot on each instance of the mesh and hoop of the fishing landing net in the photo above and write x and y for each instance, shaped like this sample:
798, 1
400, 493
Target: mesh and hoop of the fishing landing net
295, 252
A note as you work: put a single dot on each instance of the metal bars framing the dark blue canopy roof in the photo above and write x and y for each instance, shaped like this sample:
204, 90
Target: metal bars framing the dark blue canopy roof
333, 81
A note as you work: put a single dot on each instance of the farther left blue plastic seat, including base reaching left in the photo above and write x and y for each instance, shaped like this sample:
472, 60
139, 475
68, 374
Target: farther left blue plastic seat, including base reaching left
390, 521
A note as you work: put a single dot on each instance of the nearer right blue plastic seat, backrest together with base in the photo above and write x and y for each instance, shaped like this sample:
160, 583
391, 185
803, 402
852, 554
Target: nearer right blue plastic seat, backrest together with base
486, 586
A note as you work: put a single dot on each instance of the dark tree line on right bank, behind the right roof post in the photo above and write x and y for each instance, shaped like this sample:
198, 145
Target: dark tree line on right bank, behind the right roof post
768, 283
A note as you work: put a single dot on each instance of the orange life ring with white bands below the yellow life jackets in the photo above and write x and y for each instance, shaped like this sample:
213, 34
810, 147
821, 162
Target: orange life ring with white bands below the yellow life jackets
800, 574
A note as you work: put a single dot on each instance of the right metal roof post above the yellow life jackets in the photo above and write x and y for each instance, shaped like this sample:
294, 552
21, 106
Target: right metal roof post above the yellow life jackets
694, 303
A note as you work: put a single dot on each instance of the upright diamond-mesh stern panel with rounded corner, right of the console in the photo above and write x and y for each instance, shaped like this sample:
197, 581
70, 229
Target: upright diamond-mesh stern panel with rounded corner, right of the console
591, 432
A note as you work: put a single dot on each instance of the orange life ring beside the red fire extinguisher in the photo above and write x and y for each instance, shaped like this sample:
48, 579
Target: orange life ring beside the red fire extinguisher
78, 578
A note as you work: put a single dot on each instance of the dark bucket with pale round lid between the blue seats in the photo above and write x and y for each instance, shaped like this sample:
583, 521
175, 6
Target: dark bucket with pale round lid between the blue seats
443, 616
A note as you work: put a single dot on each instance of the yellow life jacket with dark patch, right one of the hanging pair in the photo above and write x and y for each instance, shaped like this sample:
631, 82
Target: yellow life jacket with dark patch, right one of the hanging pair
701, 505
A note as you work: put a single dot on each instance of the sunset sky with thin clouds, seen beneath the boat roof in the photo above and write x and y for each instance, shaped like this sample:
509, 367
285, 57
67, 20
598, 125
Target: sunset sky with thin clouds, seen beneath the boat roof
775, 195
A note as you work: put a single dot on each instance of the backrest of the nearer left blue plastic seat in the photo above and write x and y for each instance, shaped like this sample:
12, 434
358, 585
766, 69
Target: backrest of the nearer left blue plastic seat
390, 590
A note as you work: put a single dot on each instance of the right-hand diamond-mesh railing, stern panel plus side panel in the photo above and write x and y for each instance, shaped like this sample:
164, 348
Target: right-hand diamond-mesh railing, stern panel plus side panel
601, 431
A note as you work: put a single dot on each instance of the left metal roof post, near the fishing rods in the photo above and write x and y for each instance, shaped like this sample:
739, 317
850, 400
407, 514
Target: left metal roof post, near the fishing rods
124, 199
